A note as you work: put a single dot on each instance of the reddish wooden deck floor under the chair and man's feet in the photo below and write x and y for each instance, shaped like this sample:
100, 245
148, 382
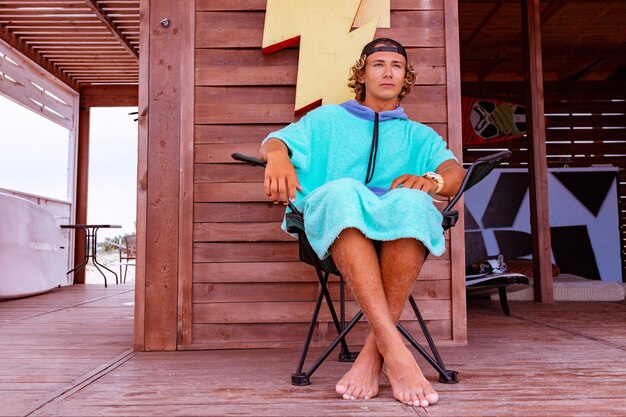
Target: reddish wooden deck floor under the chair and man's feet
67, 354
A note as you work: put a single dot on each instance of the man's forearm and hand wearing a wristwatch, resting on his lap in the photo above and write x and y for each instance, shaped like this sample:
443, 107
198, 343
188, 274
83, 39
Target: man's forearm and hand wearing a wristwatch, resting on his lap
451, 171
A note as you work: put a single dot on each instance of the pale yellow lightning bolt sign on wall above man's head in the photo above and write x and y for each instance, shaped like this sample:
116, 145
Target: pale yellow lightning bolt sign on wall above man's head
327, 47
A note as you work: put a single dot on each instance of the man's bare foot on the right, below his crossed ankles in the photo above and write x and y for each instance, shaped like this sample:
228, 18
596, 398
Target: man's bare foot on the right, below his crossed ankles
407, 380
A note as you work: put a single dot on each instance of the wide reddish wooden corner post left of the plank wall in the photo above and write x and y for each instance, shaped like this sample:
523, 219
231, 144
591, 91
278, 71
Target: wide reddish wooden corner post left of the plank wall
158, 197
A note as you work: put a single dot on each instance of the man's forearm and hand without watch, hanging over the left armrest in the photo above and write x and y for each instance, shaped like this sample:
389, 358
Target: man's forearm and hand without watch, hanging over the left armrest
281, 181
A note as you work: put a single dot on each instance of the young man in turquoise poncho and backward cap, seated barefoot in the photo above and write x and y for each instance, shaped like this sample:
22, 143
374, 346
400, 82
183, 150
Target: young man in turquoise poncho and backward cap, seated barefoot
362, 172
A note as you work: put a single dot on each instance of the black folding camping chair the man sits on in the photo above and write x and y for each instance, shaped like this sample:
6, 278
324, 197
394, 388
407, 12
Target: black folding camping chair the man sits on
295, 224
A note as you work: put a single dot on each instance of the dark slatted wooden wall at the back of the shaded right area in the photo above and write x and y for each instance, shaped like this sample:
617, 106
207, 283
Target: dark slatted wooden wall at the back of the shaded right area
585, 126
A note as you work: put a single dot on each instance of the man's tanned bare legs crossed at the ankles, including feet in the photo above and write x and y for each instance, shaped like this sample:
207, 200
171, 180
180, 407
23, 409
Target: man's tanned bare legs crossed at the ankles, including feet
356, 258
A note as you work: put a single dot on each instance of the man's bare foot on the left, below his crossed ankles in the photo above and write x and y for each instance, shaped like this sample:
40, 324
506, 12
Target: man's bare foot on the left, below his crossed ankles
361, 382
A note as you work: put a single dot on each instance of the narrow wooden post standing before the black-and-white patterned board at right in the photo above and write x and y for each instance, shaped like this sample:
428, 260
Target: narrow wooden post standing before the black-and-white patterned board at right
538, 167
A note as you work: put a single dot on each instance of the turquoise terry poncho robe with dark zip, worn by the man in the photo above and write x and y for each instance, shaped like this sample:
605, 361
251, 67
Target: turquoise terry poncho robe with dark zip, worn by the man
330, 148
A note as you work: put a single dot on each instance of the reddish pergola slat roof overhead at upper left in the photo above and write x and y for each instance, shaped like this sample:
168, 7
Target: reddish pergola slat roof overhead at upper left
81, 42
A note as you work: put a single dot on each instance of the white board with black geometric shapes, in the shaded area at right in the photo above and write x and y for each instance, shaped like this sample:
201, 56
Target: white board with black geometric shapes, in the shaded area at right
584, 220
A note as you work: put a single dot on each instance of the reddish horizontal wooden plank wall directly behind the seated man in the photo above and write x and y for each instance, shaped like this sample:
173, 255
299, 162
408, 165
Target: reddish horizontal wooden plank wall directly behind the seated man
249, 288
